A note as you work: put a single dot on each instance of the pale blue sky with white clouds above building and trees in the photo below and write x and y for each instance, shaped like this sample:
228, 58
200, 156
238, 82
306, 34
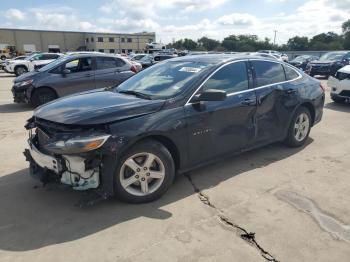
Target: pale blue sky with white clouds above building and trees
176, 19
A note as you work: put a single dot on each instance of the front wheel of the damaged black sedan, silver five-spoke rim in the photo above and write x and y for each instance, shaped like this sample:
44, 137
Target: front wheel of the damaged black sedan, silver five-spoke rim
144, 173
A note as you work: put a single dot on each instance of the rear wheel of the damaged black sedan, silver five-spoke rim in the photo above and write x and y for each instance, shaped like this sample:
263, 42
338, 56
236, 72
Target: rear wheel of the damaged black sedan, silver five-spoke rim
299, 128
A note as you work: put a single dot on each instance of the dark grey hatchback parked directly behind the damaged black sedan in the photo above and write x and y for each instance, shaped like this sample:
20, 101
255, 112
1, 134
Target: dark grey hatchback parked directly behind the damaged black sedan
71, 74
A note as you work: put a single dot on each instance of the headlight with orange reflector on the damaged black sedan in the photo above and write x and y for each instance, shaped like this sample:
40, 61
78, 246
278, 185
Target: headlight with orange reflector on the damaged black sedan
78, 144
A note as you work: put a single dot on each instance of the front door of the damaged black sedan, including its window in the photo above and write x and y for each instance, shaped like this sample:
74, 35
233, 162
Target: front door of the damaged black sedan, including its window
216, 128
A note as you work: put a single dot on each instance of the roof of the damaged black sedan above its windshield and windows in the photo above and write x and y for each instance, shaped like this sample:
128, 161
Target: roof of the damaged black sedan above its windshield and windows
219, 58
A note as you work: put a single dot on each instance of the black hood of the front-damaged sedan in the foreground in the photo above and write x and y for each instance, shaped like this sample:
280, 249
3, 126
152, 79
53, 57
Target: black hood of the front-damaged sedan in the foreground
98, 107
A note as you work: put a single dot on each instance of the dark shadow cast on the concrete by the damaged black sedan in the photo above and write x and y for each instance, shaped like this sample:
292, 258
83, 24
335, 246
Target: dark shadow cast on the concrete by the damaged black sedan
33, 216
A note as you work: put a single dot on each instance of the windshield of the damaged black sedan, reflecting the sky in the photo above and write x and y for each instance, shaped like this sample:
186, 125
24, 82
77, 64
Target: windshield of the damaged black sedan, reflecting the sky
163, 80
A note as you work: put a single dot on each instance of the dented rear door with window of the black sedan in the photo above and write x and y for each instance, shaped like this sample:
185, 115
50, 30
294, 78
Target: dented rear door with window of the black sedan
277, 97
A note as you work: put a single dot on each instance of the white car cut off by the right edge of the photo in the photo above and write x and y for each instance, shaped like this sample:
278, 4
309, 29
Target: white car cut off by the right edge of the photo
340, 85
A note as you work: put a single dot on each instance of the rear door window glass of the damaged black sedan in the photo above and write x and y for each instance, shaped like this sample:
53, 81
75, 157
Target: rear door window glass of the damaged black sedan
268, 73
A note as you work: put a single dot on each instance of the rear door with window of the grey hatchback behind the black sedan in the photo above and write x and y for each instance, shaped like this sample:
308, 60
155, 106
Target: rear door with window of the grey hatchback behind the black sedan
111, 71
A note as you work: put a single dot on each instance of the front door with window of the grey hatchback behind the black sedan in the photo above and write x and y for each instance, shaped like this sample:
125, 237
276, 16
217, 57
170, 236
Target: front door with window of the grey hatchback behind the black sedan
80, 77
